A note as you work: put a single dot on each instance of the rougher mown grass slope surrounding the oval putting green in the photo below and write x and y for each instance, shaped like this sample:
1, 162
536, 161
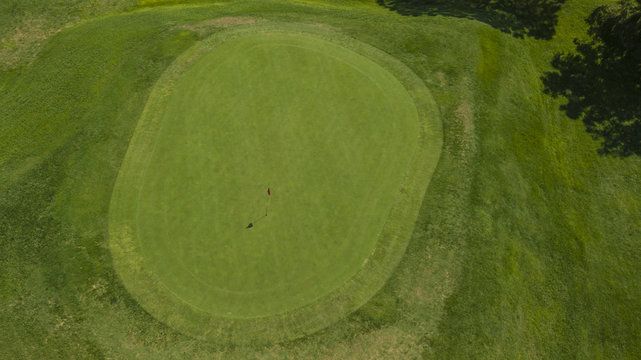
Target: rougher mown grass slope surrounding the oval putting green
527, 244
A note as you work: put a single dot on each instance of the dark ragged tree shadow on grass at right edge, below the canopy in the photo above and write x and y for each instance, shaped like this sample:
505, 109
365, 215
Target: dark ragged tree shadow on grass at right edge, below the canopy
604, 91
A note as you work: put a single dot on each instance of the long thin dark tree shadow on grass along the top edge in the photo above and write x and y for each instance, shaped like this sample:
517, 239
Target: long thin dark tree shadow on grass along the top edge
535, 18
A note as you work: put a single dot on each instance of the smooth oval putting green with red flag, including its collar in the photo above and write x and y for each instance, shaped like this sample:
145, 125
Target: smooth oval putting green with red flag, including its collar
332, 133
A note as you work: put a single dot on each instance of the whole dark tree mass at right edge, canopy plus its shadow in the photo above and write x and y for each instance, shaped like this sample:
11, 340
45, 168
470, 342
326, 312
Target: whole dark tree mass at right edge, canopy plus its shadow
602, 79
